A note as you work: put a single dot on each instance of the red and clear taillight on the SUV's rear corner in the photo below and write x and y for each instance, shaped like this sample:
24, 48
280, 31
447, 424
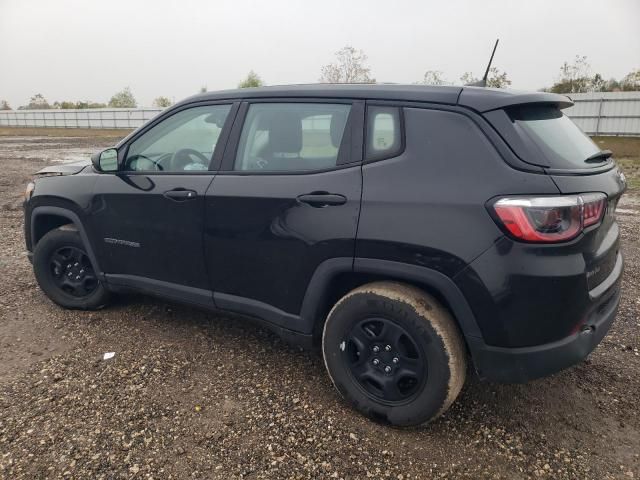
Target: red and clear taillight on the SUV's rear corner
550, 219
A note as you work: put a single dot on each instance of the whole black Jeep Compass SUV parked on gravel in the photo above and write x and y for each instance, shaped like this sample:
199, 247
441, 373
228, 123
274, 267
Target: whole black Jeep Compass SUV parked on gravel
409, 230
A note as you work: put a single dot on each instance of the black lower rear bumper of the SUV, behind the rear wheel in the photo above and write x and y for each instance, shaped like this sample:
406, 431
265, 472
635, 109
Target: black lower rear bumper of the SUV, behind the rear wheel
519, 365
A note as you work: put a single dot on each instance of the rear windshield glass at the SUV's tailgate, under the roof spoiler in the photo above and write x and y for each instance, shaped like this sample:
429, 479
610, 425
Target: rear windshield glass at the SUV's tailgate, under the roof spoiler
562, 142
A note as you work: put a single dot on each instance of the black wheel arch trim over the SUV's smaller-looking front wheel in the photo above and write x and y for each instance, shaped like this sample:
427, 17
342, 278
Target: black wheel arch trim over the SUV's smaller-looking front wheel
47, 218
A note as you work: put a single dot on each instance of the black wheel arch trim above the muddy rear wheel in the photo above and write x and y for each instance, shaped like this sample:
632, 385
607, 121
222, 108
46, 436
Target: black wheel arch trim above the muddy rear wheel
336, 277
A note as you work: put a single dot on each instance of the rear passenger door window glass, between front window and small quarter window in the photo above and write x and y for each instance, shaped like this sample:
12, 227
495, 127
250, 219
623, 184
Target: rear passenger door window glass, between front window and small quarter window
291, 136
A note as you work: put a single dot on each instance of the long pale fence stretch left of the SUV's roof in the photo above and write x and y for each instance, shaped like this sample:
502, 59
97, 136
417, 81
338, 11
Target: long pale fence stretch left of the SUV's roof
85, 118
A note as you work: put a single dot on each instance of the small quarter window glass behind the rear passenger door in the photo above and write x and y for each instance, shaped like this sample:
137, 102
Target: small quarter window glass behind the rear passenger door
383, 132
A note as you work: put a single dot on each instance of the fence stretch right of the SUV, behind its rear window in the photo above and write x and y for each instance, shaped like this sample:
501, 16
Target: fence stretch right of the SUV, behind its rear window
606, 113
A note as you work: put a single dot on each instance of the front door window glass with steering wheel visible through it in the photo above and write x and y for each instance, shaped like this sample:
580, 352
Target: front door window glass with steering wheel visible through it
183, 142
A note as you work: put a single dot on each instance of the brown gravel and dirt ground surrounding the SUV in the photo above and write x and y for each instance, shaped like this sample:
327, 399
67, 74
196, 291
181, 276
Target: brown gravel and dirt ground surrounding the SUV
190, 394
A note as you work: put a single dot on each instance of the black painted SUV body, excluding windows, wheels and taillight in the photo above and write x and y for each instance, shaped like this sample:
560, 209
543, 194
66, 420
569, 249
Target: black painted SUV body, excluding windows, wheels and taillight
245, 242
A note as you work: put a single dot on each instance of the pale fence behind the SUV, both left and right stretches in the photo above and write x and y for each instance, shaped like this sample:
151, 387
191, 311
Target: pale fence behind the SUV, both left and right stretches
597, 113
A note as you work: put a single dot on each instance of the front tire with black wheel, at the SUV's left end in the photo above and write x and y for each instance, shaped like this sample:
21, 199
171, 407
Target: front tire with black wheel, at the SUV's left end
61, 254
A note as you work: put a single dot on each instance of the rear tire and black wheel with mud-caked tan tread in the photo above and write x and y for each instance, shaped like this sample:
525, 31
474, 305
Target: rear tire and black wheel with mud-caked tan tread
425, 364
